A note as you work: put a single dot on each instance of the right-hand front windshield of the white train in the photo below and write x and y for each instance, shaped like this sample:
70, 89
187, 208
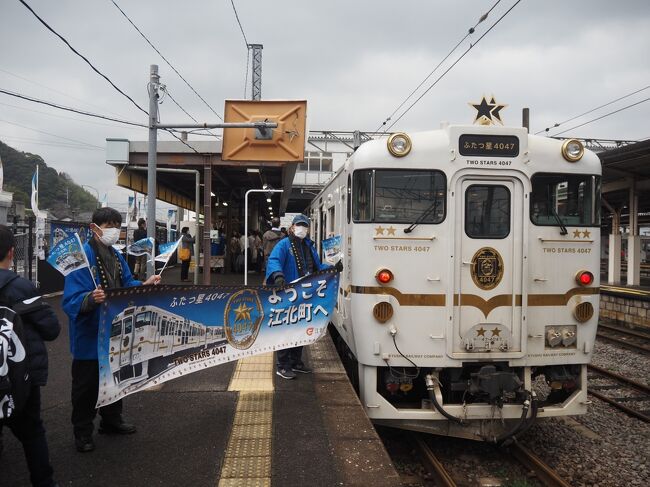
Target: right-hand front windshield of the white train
573, 199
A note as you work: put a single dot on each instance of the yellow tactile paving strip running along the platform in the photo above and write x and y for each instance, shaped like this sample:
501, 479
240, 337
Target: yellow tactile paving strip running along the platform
247, 461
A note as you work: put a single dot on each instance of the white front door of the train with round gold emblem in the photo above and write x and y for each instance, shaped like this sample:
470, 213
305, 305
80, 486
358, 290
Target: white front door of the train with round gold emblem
489, 250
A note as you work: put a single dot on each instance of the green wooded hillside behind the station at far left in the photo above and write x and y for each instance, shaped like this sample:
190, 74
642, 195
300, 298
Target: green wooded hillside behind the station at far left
19, 168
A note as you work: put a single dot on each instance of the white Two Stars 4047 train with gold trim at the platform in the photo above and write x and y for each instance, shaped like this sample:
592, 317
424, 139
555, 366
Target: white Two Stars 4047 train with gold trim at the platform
469, 296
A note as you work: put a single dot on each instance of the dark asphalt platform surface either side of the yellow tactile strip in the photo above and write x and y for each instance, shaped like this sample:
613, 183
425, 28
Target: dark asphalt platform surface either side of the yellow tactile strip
184, 427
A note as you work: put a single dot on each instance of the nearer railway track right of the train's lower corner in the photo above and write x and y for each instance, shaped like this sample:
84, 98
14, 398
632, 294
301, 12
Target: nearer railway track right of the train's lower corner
611, 381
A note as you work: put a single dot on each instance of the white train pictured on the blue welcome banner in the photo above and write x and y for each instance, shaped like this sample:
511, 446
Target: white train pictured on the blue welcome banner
145, 340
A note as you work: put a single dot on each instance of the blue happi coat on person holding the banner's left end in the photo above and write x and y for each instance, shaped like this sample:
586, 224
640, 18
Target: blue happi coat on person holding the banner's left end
84, 326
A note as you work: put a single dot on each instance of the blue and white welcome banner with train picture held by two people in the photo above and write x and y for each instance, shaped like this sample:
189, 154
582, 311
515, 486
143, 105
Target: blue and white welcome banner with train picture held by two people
151, 334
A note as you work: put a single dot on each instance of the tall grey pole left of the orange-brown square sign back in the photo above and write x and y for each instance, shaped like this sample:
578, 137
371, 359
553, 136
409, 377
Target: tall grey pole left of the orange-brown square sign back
151, 162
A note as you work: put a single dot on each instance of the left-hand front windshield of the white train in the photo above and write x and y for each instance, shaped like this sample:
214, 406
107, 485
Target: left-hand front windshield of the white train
398, 196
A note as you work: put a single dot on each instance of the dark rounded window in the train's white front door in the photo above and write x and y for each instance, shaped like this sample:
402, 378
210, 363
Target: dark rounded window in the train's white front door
487, 211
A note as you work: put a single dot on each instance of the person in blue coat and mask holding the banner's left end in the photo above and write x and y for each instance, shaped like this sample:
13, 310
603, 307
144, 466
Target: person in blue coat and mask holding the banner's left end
81, 302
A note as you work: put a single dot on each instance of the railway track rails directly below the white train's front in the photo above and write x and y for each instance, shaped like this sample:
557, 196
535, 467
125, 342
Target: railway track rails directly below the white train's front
545, 474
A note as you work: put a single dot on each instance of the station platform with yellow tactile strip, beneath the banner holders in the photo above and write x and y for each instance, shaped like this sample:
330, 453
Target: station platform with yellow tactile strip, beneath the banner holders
237, 424
